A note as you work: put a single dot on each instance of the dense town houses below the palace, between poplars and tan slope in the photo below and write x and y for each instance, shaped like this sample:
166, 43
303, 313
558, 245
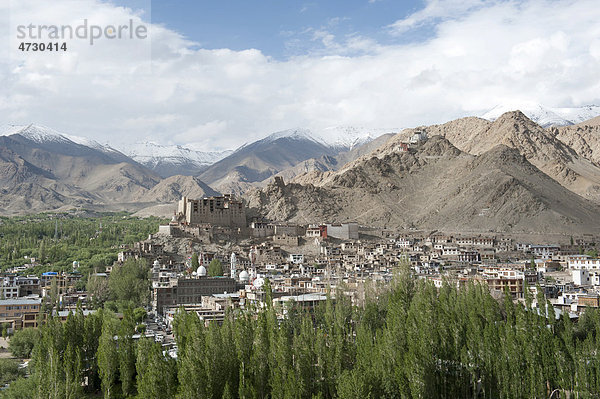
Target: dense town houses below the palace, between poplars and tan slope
305, 262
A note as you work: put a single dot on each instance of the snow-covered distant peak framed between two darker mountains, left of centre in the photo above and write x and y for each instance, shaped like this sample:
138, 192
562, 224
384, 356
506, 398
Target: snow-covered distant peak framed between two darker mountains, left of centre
170, 160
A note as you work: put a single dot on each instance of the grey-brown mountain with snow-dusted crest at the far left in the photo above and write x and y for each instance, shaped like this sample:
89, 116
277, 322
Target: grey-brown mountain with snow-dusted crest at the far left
42, 169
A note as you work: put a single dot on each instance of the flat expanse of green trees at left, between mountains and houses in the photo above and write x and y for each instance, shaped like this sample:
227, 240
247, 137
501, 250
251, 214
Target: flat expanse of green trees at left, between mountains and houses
79, 238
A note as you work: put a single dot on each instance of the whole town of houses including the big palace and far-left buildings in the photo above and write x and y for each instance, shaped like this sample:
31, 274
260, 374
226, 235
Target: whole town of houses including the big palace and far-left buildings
303, 264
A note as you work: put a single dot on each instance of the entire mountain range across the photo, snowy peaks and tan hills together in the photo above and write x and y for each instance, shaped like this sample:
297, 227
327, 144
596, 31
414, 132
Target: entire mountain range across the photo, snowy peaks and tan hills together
509, 174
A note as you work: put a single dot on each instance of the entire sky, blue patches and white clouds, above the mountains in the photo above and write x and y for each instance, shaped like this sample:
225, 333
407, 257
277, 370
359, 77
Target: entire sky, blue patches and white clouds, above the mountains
213, 75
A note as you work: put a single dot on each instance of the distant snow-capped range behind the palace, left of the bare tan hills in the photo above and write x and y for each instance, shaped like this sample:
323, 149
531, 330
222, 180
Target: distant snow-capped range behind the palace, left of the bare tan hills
43, 169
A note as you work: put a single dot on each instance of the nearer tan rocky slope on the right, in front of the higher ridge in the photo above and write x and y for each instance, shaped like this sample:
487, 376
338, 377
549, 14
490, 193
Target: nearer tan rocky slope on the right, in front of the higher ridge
435, 186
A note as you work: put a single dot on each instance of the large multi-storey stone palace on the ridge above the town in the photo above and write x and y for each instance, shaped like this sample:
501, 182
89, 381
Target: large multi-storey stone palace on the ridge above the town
226, 211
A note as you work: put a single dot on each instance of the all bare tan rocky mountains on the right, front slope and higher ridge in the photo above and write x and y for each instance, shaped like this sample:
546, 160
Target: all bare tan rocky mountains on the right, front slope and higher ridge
510, 175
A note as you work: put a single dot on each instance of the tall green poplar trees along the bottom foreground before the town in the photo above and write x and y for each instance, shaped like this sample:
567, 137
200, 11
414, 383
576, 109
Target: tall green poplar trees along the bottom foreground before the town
410, 341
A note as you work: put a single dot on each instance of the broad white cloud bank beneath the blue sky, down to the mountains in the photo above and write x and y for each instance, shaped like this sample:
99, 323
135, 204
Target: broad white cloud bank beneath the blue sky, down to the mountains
481, 54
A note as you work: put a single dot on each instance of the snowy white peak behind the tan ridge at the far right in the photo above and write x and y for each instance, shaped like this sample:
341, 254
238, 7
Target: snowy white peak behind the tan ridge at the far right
547, 117
